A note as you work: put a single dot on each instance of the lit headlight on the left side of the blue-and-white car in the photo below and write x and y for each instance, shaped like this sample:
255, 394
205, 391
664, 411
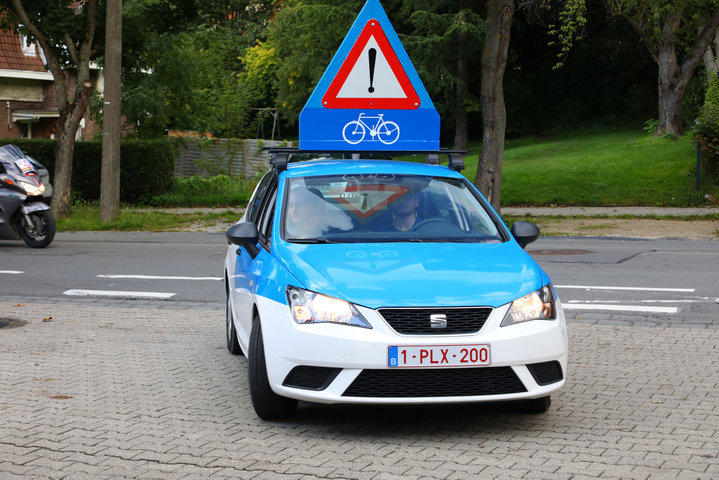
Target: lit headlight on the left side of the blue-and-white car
311, 307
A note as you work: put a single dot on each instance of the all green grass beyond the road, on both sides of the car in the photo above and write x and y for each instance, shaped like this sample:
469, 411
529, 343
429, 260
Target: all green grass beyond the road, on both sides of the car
607, 168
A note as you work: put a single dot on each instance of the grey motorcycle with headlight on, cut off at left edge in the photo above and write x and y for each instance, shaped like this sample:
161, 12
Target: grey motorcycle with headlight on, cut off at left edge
23, 213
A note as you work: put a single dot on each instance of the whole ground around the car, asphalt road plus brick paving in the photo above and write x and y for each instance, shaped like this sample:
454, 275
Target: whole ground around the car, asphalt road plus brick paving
145, 388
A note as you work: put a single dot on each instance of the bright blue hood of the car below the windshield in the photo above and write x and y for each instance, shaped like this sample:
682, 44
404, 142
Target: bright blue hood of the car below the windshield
416, 274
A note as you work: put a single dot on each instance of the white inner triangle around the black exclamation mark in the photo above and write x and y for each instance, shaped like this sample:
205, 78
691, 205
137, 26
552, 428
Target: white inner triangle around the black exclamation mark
383, 84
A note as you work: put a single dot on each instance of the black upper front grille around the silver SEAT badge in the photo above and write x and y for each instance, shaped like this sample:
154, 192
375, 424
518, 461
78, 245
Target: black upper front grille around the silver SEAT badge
416, 321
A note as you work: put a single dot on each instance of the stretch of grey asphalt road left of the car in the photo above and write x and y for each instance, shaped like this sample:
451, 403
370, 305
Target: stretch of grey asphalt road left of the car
186, 265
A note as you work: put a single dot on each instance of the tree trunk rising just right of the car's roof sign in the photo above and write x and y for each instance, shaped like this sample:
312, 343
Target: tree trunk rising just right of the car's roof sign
494, 114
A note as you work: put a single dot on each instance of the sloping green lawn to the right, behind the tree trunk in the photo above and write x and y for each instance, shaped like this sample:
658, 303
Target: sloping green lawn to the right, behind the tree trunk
593, 169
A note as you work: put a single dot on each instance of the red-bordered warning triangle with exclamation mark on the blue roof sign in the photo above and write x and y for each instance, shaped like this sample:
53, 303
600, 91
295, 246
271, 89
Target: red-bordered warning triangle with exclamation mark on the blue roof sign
371, 76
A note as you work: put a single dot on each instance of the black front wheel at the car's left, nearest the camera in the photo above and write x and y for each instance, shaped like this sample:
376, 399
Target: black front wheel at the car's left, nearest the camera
268, 405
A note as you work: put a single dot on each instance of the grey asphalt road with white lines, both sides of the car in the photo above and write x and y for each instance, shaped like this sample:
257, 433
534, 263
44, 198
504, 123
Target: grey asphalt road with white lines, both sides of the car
598, 279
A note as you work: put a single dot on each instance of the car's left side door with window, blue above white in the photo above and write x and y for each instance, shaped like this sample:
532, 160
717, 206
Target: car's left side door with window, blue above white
244, 278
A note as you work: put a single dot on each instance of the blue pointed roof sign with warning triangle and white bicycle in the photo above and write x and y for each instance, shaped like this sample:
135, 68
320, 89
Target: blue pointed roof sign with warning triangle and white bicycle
370, 97
